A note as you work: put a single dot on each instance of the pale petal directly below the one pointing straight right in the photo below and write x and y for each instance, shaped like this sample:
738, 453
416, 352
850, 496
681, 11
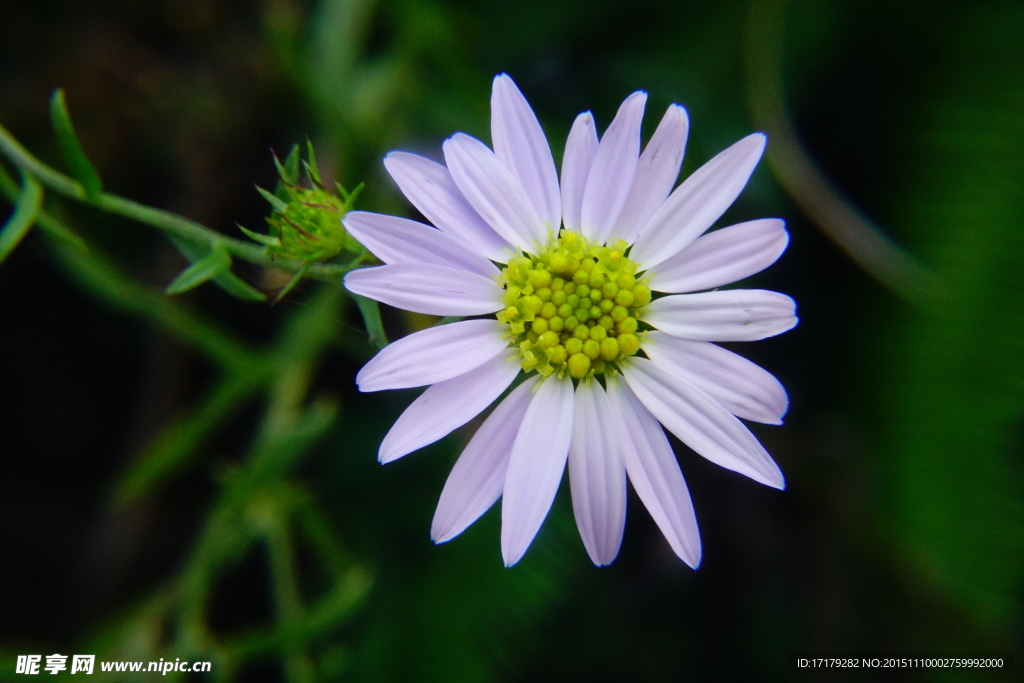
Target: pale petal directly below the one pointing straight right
744, 389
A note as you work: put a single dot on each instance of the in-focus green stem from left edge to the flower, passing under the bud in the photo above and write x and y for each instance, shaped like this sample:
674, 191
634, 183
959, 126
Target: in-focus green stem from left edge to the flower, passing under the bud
164, 221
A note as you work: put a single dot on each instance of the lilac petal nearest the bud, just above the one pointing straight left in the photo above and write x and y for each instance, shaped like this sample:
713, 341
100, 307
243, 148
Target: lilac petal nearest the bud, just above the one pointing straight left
395, 240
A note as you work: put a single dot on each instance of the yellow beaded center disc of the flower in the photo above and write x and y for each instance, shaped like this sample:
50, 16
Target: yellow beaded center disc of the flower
574, 309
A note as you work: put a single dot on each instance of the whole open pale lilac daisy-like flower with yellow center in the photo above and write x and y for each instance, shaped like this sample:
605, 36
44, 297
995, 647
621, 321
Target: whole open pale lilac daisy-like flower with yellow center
605, 359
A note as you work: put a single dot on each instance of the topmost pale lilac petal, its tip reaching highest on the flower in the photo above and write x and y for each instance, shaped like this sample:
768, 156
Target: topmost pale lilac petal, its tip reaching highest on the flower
521, 145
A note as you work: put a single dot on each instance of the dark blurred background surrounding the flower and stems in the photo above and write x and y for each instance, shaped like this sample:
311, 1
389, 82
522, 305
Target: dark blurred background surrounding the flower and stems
903, 526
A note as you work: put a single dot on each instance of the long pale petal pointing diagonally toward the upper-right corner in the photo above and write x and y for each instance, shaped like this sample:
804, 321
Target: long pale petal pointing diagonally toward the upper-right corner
698, 203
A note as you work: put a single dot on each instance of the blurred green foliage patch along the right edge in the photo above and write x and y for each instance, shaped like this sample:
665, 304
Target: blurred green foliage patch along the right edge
954, 382
